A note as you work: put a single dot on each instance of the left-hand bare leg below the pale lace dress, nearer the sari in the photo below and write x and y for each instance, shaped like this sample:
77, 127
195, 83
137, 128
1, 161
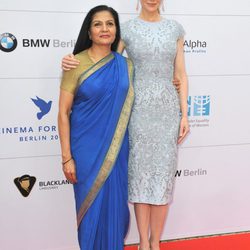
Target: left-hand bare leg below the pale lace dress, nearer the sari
142, 214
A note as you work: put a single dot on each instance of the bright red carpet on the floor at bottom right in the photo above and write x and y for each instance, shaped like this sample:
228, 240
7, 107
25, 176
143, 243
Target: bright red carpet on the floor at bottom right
239, 241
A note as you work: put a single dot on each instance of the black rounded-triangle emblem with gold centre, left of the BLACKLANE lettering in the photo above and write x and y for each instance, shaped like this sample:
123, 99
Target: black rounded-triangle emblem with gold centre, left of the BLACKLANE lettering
25, 184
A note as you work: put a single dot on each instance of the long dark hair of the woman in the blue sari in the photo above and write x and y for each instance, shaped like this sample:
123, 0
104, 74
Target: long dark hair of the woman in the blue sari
83, 42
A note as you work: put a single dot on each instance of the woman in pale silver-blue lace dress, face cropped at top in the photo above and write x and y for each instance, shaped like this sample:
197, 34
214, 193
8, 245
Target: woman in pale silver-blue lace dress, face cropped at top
159, 117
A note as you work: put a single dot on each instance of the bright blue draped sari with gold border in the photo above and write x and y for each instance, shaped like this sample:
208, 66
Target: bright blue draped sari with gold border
103, 98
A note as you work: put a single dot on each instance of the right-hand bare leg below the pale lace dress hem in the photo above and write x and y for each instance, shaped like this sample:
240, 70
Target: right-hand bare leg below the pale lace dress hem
158, 215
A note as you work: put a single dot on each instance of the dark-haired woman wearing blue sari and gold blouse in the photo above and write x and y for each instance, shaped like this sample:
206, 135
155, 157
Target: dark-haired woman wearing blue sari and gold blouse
94, 110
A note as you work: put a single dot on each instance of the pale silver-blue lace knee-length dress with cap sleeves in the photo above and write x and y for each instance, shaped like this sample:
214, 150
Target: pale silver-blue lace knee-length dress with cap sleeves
154, 123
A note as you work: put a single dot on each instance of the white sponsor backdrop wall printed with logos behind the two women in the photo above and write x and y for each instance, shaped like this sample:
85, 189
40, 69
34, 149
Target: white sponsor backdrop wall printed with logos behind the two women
212, 184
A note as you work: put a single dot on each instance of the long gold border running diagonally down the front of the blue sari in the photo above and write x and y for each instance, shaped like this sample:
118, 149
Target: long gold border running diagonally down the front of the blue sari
111, 155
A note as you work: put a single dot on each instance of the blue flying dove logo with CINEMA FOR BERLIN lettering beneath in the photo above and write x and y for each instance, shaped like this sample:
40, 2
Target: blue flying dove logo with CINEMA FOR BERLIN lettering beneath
40, 129
